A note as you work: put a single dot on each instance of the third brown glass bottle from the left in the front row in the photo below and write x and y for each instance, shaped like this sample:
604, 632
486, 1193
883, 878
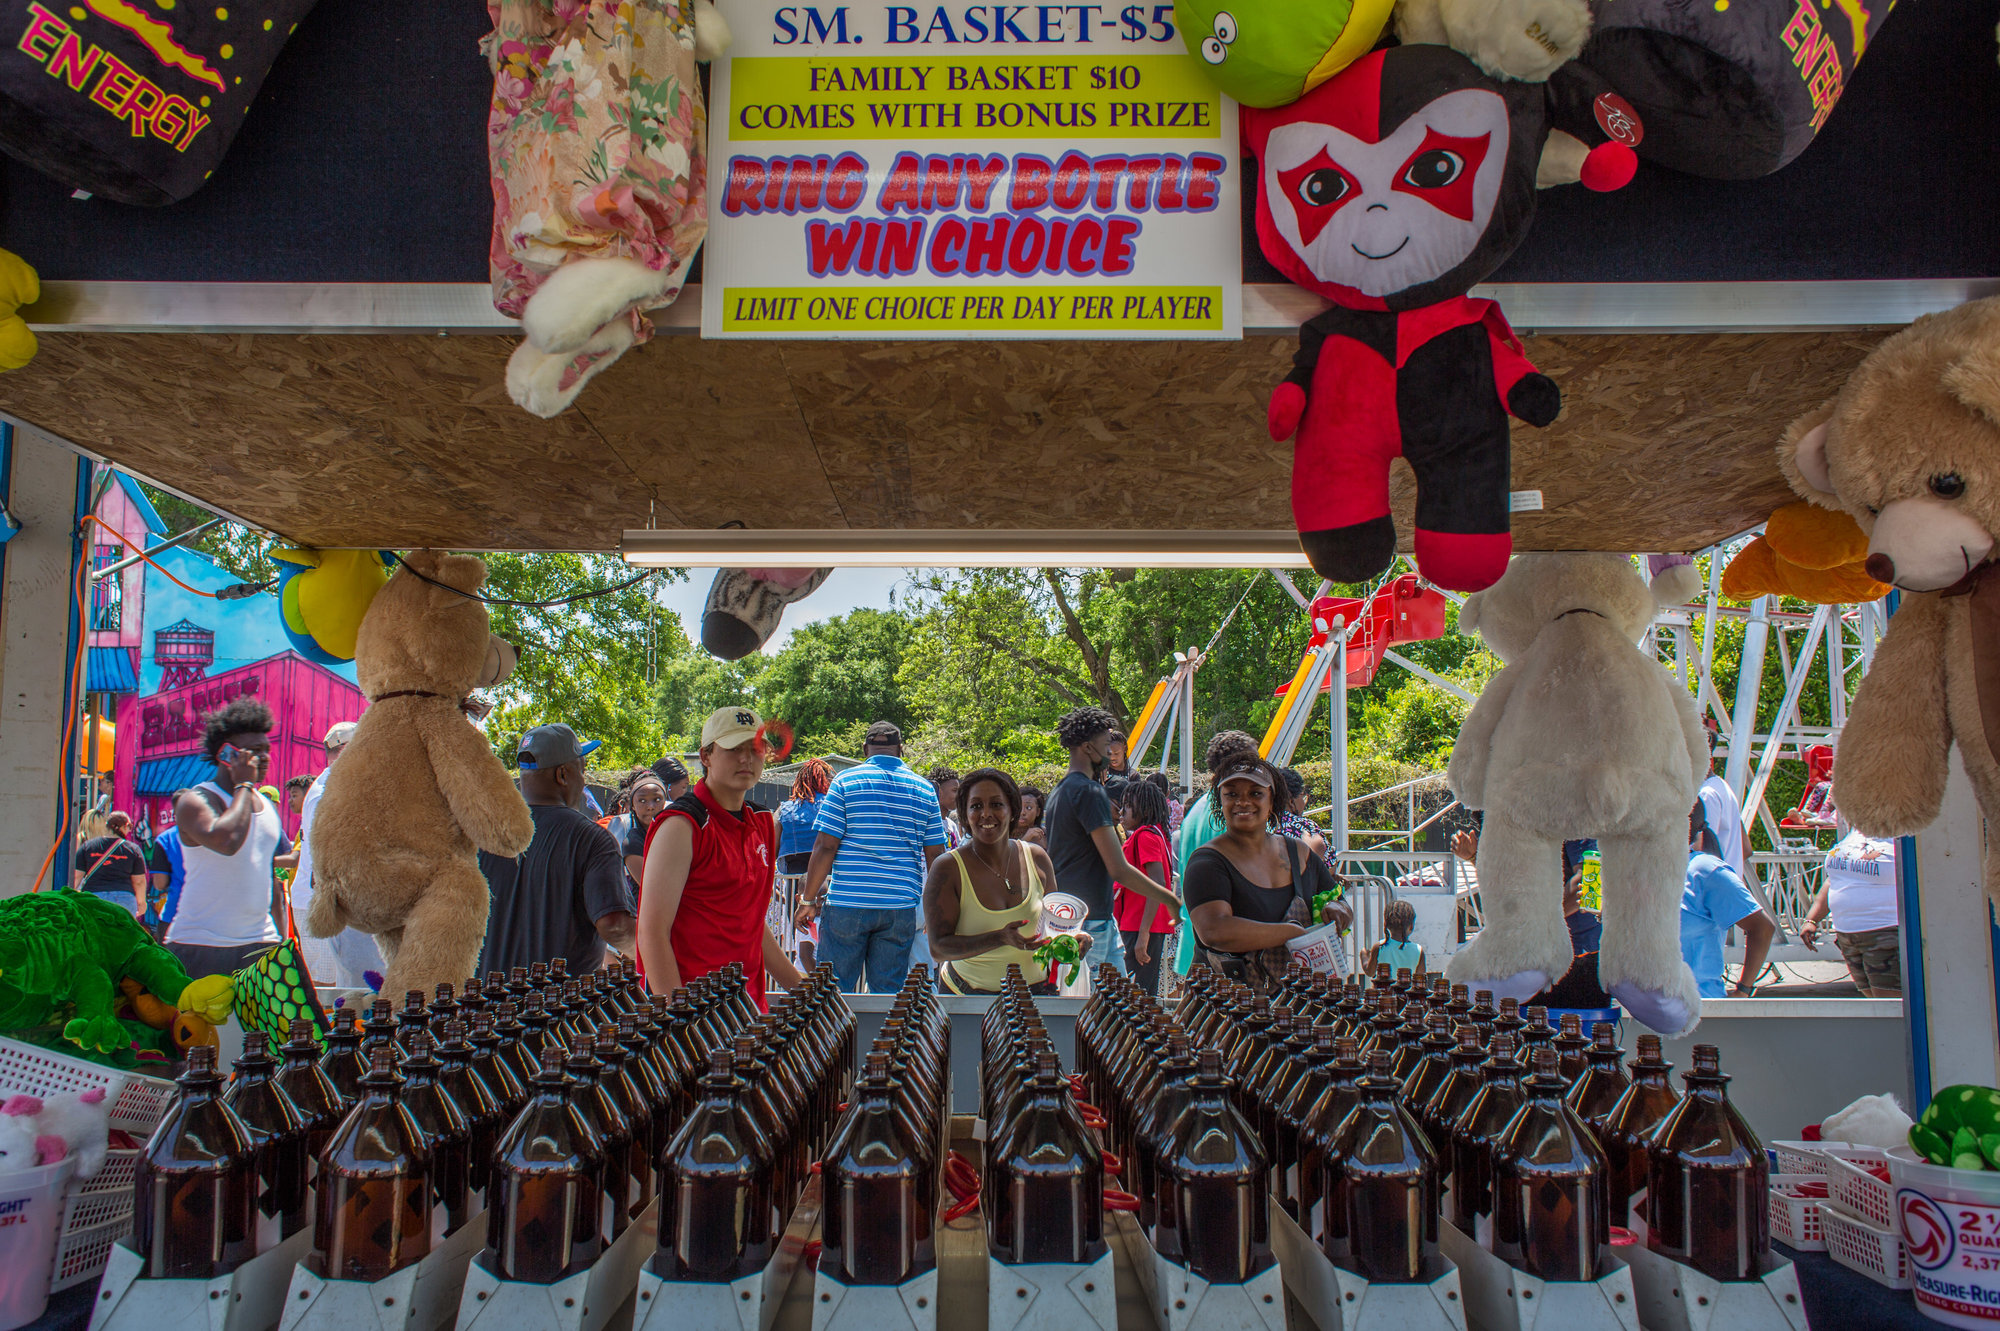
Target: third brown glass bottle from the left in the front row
547, 1186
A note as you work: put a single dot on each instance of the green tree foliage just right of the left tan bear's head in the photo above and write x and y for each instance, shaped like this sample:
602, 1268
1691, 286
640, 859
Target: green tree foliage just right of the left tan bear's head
591, 663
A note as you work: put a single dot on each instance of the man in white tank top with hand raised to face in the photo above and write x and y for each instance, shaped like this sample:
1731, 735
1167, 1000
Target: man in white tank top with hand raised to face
229, 838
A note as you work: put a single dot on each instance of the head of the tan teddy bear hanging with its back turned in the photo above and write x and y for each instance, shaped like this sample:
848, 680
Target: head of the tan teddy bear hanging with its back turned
427, 633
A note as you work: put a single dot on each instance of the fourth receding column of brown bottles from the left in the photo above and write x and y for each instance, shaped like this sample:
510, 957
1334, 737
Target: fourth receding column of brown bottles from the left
741, 1160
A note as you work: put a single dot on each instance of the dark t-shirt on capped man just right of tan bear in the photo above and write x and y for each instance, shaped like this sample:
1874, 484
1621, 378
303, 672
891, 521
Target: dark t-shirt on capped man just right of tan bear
547, 902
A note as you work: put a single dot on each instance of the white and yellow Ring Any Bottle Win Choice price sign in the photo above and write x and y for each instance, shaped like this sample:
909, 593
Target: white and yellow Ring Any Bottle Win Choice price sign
969, 171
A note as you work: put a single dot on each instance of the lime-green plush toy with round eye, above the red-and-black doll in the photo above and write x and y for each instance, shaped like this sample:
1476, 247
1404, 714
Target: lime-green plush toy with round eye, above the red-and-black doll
1271, 53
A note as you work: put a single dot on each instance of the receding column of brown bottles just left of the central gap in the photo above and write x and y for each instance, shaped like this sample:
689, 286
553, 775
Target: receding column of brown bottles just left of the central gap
885, 1166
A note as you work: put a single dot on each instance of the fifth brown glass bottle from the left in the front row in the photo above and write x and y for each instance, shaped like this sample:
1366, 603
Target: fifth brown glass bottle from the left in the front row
879, 1214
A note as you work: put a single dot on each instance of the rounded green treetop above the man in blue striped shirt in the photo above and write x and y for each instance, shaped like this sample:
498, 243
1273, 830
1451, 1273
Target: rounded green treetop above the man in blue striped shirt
837, 672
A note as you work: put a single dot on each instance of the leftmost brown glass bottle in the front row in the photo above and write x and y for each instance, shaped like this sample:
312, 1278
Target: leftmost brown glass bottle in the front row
197, 1182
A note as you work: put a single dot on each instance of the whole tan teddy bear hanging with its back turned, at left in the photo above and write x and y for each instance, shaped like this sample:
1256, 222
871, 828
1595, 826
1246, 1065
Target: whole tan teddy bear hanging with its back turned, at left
419, 792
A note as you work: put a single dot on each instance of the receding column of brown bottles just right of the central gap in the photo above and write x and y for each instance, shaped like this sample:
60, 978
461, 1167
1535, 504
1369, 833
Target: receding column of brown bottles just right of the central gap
1045, 1164
